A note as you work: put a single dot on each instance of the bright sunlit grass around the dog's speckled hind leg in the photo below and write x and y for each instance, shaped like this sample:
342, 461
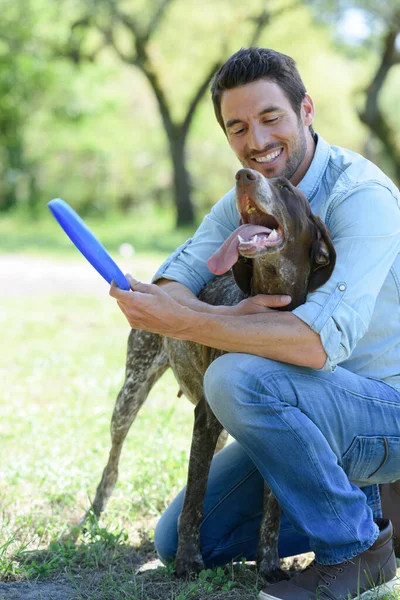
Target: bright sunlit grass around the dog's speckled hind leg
61, 367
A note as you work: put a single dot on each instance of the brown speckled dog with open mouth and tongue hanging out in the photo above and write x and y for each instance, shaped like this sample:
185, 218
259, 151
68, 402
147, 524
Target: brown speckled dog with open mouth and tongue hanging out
281, 248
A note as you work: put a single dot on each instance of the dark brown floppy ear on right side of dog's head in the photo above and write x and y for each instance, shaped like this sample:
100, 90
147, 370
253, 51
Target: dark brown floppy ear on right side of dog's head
323, 256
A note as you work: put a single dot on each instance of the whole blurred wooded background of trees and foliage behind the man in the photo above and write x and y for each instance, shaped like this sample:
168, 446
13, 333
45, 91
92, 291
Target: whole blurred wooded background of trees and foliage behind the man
106, 103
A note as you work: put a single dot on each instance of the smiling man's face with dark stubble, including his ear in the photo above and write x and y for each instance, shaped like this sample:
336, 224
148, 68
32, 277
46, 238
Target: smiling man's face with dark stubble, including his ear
264, 131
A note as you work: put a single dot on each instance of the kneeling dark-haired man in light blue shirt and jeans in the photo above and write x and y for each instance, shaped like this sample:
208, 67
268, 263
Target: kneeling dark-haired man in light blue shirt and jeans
311, 396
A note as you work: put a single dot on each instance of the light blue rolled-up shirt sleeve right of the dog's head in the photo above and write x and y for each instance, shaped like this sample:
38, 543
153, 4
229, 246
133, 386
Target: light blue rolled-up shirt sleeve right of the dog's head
365, 229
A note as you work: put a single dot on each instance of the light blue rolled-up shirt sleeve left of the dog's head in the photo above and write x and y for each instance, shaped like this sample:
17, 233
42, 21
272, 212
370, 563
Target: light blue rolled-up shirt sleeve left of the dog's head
188, 264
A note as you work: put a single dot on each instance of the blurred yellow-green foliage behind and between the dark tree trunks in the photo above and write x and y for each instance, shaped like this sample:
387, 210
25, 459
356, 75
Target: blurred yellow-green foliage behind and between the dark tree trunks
91, 133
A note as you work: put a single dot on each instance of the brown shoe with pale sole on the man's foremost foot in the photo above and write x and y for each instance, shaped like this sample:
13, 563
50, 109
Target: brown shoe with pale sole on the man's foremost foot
368, 575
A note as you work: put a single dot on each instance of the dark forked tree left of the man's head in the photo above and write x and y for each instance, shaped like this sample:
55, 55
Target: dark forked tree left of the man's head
131, 37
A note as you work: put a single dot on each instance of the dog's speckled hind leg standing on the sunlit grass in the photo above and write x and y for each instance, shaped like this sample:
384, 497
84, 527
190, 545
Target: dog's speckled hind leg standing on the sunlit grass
146, 362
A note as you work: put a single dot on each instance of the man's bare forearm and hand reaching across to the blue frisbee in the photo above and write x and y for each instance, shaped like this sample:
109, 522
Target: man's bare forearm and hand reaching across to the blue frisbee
277, 335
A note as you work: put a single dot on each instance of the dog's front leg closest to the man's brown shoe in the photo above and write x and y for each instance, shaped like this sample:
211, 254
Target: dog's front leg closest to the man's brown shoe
268, 561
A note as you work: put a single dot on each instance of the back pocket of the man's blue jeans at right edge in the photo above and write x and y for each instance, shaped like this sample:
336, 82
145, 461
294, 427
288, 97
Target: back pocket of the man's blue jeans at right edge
373, 459
